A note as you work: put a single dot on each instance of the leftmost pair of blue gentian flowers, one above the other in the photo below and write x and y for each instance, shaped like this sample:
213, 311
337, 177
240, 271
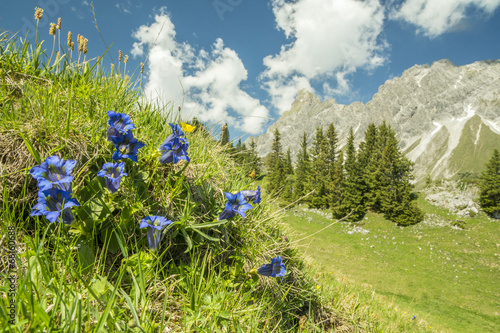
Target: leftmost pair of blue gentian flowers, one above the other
54, 197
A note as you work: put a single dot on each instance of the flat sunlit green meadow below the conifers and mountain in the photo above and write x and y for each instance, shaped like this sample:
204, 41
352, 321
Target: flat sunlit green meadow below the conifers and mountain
447, 276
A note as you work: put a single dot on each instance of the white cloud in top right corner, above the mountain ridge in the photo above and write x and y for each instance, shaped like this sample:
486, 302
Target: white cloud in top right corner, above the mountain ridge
435, 17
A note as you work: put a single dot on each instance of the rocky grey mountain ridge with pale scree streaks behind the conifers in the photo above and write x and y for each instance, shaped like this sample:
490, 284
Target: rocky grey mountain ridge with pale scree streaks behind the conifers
446, 117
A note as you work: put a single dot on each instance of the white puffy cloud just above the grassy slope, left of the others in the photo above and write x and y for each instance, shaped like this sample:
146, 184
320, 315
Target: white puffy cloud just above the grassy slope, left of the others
208, 82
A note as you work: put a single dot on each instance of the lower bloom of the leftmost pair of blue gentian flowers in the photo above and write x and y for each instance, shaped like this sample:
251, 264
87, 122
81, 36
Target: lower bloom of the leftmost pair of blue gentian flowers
54, 204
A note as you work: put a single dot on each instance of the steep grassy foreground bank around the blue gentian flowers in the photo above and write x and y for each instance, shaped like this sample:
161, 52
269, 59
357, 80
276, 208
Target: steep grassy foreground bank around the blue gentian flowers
97, 274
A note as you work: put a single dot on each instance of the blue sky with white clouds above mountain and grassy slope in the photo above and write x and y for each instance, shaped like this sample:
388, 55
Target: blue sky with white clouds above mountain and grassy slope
243, 61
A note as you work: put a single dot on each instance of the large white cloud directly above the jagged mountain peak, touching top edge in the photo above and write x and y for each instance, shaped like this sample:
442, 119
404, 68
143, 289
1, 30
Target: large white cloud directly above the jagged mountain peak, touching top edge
330, 39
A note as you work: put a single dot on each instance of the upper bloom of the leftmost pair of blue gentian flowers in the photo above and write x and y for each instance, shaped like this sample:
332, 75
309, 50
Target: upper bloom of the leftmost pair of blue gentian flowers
54, 172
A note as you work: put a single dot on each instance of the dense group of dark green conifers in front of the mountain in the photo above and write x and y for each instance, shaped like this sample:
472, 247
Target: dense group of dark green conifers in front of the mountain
376, 176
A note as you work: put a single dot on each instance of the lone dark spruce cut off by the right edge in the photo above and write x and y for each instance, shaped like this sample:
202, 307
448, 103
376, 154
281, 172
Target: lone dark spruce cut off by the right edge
489, 196
